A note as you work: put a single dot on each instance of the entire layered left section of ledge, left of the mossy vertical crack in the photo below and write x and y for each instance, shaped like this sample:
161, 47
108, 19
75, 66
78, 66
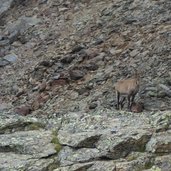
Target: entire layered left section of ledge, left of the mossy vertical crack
25, 145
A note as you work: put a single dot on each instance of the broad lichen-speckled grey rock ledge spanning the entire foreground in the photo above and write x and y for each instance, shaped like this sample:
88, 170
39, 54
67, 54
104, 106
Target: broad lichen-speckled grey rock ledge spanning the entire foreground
119, 141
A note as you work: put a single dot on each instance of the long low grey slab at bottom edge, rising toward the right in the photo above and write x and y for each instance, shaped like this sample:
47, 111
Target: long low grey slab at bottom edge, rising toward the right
135, 161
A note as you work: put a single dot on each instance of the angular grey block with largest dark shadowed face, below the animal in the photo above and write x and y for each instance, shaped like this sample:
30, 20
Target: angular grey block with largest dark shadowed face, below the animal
122, 143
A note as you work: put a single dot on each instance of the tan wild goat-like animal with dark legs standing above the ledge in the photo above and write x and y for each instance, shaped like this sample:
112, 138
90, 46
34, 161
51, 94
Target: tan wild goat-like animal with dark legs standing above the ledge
127, 87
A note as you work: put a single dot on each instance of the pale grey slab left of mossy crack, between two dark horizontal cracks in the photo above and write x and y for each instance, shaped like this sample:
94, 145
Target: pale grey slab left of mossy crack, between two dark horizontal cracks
35, 143
